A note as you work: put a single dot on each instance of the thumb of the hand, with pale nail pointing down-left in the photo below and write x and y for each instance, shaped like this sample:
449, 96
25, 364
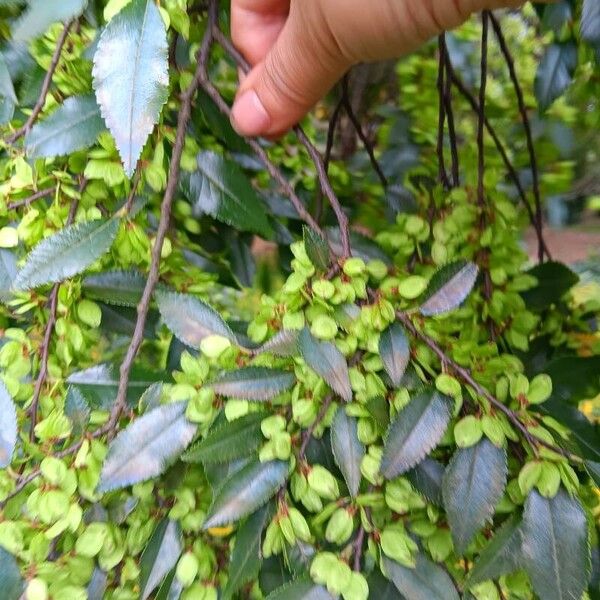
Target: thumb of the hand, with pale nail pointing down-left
300, 68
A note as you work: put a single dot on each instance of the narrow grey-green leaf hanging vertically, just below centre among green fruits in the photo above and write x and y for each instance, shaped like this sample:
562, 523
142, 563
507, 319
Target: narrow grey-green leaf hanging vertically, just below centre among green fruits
347, 449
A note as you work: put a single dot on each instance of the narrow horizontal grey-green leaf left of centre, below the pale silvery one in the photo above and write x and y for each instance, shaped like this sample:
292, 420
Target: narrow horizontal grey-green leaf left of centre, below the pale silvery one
253, 383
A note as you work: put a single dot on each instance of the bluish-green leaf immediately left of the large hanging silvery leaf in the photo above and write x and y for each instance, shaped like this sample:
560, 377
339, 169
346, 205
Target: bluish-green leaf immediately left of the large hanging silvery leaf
74, 125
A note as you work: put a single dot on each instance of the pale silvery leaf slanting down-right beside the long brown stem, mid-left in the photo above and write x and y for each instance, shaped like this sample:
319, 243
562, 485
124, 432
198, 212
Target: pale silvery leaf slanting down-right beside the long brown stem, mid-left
190, 319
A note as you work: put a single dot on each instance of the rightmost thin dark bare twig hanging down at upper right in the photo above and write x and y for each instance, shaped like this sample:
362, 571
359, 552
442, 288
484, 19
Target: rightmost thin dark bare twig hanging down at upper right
538, 225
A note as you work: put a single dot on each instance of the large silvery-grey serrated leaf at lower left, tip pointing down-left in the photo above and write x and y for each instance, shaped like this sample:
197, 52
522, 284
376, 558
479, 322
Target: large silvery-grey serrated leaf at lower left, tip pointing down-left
146, 447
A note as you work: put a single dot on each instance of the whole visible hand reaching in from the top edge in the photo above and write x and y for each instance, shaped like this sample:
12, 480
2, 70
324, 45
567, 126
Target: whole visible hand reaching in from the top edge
299, 48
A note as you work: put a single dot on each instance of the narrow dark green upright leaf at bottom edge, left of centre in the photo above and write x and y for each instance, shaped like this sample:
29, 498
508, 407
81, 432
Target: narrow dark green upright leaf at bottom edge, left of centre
245, 558
